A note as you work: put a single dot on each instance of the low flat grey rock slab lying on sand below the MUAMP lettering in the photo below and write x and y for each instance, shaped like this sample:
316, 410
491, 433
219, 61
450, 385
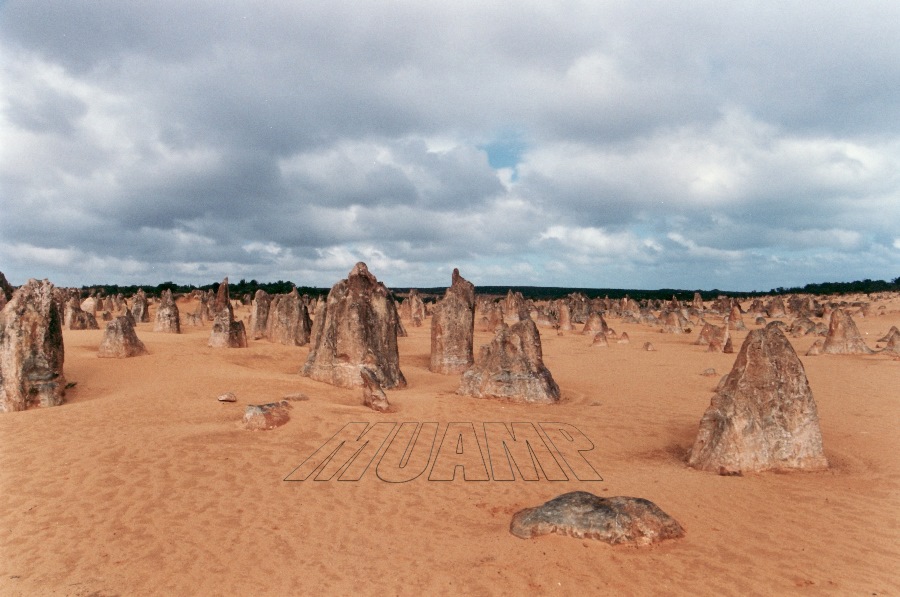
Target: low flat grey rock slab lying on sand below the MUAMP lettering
616, 520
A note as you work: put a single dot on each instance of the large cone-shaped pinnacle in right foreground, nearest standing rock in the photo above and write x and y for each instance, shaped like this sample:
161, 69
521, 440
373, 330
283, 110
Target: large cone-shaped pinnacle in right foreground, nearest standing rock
763, 415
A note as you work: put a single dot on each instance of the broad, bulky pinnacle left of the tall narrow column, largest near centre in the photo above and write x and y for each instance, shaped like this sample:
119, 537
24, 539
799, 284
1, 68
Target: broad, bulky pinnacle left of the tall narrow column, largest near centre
356, 328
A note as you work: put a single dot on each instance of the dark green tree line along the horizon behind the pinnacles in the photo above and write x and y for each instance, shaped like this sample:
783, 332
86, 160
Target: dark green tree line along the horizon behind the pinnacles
238, 289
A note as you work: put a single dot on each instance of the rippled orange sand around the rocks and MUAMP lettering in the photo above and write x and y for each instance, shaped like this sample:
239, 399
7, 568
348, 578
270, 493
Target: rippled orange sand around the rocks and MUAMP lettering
144, 484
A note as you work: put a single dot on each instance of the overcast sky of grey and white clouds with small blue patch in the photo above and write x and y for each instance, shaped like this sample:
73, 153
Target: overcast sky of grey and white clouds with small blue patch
653, 144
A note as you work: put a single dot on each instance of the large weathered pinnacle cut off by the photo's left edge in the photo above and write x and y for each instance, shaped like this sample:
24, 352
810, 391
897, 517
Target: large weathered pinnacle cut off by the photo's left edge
31, 349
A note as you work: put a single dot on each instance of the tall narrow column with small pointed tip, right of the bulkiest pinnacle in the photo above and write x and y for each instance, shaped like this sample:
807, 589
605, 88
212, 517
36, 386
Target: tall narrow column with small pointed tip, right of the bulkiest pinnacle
453, 328
